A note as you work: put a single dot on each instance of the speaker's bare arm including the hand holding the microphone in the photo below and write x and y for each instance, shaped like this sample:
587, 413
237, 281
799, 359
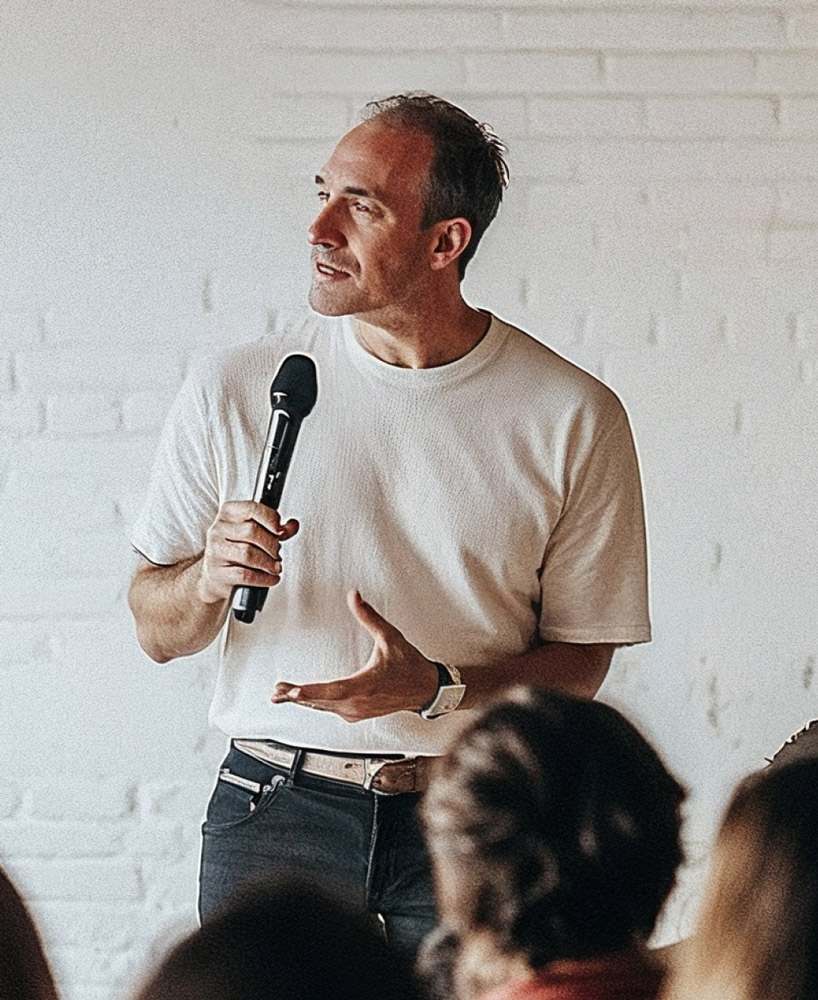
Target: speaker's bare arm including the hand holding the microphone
180, 609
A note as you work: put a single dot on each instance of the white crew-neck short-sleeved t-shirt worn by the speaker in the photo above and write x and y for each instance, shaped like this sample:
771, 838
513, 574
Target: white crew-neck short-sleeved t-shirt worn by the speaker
476, 505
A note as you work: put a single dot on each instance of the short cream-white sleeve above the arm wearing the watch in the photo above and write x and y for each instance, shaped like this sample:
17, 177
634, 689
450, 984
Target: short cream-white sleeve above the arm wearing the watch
594, 581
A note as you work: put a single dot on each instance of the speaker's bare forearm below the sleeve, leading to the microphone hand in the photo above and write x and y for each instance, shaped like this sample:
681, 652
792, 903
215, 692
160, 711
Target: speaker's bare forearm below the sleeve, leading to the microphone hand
172, 619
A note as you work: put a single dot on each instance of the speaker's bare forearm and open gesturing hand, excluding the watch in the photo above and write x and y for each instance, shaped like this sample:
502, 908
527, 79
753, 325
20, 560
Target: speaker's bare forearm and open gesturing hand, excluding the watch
399, 677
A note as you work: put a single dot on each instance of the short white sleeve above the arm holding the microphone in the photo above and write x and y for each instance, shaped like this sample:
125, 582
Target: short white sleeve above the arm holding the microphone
182, 498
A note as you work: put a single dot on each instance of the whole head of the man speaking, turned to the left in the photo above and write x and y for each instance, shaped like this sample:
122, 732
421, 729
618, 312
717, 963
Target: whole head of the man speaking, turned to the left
406, 197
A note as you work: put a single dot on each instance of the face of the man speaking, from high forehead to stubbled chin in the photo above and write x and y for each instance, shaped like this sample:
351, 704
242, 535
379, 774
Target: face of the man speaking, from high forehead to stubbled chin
369, 254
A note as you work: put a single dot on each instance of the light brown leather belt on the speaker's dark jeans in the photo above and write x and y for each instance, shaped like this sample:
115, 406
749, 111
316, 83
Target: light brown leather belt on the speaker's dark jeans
384, 775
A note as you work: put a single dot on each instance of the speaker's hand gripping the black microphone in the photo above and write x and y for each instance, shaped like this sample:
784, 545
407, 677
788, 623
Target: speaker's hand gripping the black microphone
243, 549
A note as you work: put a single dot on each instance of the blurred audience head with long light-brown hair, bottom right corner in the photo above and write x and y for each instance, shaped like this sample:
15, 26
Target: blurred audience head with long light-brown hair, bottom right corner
757, 934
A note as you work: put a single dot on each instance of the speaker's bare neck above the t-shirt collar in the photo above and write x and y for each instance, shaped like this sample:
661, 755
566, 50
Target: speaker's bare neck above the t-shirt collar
424, 339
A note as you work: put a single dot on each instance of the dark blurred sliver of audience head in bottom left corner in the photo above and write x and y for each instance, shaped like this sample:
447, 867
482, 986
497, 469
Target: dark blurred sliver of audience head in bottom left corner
24, 970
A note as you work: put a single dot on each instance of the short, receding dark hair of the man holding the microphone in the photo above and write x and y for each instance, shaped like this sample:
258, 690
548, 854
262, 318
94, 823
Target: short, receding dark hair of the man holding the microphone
468, 172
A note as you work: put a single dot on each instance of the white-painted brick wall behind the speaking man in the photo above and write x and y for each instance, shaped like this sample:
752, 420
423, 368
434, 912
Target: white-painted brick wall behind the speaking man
155, 184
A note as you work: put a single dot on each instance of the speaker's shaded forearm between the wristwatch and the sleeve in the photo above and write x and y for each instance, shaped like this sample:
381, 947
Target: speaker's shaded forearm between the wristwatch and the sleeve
570, 667
